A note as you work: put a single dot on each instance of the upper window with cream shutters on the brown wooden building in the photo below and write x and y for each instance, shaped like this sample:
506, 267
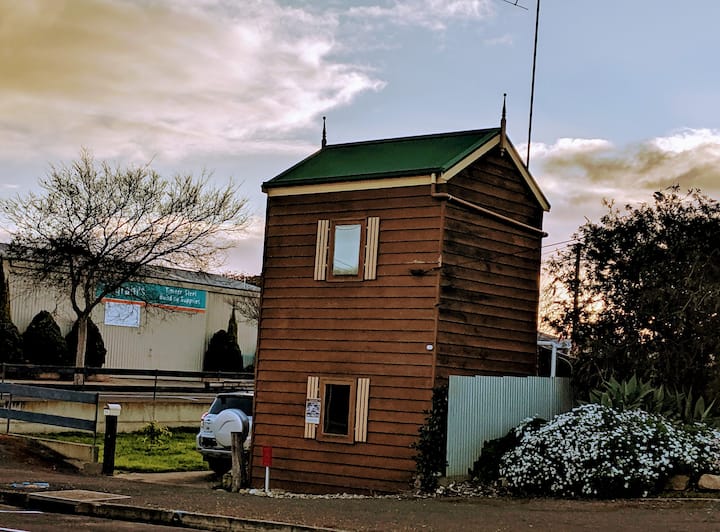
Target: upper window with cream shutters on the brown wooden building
346, 250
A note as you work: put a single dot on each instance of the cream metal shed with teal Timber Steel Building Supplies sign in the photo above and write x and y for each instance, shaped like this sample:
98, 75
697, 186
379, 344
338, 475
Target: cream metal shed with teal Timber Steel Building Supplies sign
171, 336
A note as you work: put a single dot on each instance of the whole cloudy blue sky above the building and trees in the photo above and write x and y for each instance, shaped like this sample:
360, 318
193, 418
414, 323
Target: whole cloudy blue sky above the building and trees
626, 98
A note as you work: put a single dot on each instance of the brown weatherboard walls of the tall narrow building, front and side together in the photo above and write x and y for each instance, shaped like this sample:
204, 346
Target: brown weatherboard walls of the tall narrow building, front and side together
455, 291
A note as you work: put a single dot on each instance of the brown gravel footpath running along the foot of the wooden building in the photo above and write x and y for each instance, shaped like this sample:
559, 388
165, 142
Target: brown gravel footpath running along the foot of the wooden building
459, 509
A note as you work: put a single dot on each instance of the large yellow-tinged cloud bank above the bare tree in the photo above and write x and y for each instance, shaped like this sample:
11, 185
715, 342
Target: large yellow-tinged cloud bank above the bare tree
141, 79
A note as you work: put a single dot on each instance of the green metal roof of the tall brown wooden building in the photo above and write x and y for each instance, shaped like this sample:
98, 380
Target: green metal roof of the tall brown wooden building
397, 157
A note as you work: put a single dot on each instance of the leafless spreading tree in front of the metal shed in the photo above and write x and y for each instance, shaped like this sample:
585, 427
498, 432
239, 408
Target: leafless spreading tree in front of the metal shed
96, 226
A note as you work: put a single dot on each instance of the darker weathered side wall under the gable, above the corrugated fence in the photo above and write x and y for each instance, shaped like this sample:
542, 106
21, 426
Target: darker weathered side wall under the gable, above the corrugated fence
490, 276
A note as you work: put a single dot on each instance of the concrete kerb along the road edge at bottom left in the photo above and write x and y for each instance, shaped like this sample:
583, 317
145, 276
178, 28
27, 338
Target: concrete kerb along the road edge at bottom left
219, 523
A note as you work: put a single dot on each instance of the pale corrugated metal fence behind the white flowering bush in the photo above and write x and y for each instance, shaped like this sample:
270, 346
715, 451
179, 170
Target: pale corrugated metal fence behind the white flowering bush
484, 408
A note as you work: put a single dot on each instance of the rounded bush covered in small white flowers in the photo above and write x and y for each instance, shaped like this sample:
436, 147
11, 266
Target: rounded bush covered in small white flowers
596, 451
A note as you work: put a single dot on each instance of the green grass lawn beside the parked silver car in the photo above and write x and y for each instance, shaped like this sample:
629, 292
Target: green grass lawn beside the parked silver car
140, 452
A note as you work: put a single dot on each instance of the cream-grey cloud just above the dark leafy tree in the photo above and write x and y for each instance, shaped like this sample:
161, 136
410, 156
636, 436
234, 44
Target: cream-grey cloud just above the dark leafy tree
578, 174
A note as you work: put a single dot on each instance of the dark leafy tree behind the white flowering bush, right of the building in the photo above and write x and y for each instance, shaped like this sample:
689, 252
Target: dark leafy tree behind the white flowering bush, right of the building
640, 294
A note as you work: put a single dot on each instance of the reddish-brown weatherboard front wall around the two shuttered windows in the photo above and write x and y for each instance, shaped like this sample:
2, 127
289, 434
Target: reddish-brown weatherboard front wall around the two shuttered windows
375, 329
